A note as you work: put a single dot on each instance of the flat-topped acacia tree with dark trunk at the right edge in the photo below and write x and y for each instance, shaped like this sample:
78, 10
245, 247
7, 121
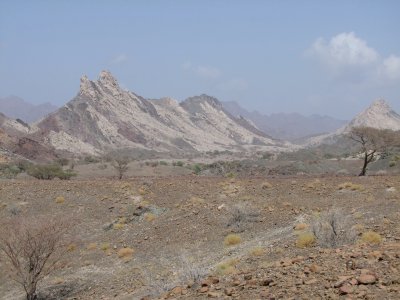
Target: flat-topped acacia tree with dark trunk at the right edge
372, 141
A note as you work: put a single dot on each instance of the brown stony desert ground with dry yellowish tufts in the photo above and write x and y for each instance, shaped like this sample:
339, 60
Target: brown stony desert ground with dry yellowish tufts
200, 237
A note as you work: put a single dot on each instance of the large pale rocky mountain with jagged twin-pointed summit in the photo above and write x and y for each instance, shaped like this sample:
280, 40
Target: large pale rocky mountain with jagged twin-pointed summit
103, 117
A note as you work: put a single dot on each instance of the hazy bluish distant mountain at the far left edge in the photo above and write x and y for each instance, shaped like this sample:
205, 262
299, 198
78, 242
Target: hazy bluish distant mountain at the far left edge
17, 108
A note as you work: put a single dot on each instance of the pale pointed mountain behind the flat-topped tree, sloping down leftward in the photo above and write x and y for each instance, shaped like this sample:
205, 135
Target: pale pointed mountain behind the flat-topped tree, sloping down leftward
378, 115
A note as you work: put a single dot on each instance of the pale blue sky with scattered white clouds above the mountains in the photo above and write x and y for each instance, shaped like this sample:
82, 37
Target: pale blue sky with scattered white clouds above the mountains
312, 57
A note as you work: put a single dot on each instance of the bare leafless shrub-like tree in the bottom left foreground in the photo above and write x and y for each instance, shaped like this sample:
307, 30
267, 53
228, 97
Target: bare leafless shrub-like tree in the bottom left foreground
33, 248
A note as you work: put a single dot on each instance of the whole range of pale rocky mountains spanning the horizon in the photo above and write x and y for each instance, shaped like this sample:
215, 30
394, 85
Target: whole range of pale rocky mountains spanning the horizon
103, 117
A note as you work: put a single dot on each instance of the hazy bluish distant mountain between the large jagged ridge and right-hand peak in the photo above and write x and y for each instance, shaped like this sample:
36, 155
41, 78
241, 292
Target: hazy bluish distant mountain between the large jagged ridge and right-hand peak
285, 126
